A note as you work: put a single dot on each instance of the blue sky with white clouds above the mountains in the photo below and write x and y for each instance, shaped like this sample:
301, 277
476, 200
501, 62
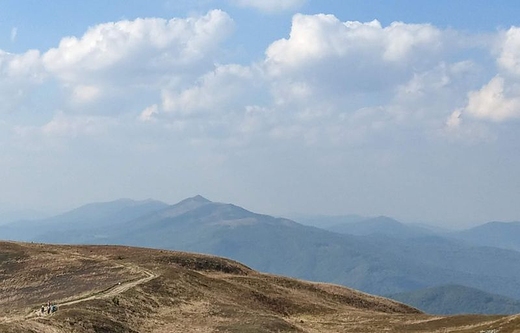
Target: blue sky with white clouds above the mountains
409, 109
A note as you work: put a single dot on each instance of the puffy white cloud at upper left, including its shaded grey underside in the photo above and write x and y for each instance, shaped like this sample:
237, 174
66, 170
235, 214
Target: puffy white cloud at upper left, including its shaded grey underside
148, 52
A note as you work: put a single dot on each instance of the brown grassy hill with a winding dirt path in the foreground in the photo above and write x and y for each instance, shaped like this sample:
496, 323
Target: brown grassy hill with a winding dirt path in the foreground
124, 289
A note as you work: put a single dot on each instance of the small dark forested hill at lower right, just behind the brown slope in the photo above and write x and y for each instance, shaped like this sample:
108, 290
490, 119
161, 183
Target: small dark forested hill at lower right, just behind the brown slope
453, 299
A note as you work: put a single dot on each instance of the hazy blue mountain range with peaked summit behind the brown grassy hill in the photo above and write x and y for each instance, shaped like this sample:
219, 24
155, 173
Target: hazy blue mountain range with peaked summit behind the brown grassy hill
382, 257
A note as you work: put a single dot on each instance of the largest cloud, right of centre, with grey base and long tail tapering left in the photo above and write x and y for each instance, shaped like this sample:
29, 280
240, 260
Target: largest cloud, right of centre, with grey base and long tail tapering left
330, 81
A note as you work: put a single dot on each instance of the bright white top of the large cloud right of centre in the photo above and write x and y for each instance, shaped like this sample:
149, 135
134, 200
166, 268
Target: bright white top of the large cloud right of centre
318, 39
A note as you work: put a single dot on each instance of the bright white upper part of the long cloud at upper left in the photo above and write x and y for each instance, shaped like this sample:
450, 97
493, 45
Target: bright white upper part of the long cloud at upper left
142, 44
